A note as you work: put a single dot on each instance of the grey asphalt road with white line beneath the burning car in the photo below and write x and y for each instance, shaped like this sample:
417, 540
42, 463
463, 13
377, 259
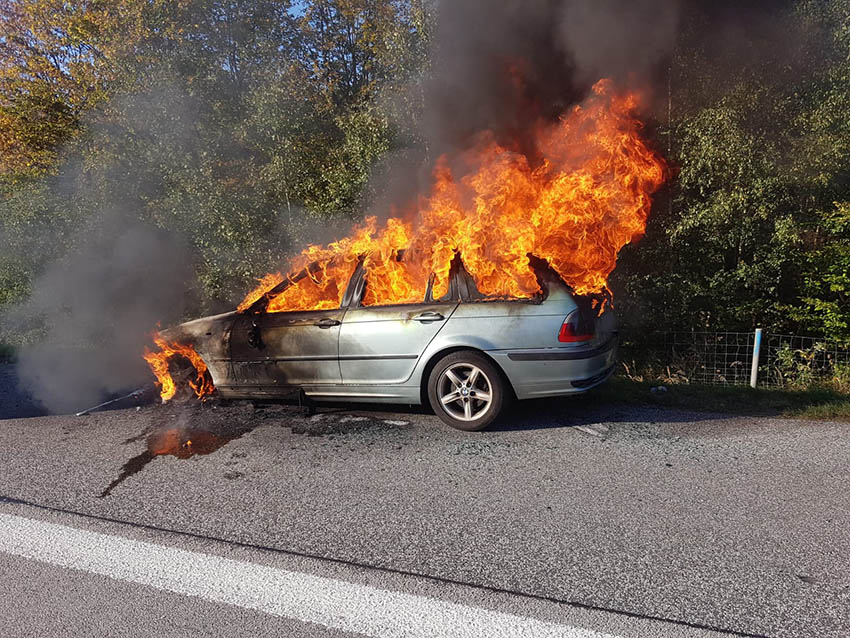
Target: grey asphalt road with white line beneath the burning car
573, 517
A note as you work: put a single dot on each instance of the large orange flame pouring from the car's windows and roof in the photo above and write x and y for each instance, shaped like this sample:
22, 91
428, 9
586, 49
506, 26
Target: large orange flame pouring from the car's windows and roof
575, 208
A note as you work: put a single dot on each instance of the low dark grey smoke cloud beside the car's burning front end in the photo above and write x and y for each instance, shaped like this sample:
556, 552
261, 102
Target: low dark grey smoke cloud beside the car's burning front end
97, 308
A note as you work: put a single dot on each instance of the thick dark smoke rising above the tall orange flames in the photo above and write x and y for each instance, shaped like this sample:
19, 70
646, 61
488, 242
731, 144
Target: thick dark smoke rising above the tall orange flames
504, 66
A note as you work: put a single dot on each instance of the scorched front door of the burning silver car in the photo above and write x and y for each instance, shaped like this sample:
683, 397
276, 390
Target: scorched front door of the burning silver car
273, 351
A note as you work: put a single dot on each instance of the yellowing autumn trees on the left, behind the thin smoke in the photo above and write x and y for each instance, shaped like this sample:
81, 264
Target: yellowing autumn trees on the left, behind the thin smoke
227, 123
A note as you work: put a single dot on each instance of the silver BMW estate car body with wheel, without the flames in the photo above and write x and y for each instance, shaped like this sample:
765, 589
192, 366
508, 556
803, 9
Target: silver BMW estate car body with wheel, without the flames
464, 354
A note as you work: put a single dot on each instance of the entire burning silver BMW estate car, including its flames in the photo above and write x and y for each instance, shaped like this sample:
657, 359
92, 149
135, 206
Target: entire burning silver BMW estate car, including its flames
491, 286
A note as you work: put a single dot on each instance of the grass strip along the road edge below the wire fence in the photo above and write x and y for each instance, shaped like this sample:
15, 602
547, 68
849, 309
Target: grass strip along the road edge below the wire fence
816, 403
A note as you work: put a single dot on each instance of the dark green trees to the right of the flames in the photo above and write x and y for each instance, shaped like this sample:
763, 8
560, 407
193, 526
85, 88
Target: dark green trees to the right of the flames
753, 235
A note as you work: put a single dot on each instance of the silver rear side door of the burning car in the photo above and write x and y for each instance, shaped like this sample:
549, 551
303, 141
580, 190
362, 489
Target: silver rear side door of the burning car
381, 344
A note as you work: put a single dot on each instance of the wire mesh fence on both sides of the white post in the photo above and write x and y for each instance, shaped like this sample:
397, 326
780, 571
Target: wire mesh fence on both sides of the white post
725, 358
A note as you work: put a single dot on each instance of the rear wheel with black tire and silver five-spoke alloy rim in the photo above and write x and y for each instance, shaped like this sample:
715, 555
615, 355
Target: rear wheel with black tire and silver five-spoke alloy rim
466, 390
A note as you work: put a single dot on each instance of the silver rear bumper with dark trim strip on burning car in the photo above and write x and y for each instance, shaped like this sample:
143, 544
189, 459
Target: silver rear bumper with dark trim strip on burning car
558, 371
